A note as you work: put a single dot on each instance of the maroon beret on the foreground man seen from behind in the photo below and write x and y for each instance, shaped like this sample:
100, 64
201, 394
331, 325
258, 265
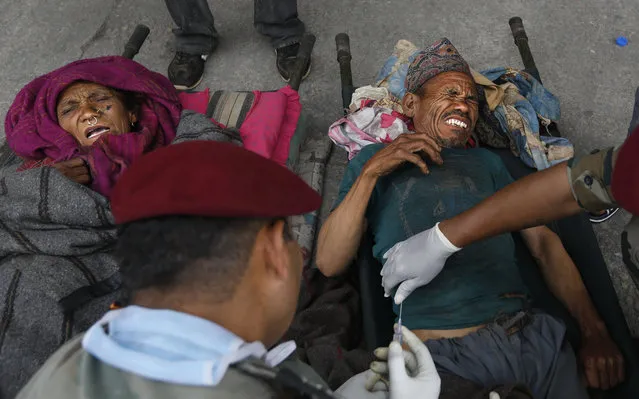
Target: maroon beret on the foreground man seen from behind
207, 178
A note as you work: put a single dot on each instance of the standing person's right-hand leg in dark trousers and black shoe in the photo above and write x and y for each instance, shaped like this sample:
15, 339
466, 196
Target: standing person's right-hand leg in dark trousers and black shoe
278, 20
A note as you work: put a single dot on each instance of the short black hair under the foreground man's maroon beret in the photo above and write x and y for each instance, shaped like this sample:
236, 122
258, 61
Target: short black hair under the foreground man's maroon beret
188, 252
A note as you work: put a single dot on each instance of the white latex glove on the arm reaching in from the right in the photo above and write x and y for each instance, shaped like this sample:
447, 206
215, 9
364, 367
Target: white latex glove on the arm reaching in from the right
415, 262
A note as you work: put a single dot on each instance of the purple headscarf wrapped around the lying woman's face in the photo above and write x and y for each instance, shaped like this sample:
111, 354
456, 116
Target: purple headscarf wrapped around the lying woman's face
33, 132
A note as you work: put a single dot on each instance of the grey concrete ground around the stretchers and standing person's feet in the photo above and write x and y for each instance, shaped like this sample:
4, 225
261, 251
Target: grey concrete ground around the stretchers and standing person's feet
573, 43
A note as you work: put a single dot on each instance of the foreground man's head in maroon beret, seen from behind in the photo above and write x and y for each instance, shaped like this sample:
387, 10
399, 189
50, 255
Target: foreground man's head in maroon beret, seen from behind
204, 233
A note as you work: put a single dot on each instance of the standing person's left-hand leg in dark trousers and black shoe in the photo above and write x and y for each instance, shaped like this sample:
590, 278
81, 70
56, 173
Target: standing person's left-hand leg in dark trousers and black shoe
195, 38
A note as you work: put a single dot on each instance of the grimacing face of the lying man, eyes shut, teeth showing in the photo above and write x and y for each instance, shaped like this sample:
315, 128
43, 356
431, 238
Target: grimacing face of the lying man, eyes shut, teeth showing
447, 110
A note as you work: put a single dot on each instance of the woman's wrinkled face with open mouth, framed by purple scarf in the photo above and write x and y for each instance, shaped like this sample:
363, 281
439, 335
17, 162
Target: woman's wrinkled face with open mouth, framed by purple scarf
89, 110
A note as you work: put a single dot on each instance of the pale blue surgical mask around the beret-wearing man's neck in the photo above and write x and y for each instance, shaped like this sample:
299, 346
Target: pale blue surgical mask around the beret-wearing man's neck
170, 346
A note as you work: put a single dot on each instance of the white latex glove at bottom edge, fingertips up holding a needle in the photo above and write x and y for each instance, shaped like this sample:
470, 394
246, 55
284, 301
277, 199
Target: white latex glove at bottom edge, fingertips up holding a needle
412, 373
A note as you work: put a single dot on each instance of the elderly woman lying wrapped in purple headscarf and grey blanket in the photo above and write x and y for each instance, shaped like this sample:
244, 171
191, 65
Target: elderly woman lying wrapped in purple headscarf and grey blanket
76, 130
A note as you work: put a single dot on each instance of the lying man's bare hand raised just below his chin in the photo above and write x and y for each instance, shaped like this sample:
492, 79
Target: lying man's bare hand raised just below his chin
404, 148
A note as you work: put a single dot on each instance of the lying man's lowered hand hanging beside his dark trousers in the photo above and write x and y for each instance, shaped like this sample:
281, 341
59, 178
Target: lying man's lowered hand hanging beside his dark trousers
603, 363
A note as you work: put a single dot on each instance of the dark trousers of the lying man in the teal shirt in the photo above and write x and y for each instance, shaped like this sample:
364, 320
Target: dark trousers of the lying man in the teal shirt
537, 356
